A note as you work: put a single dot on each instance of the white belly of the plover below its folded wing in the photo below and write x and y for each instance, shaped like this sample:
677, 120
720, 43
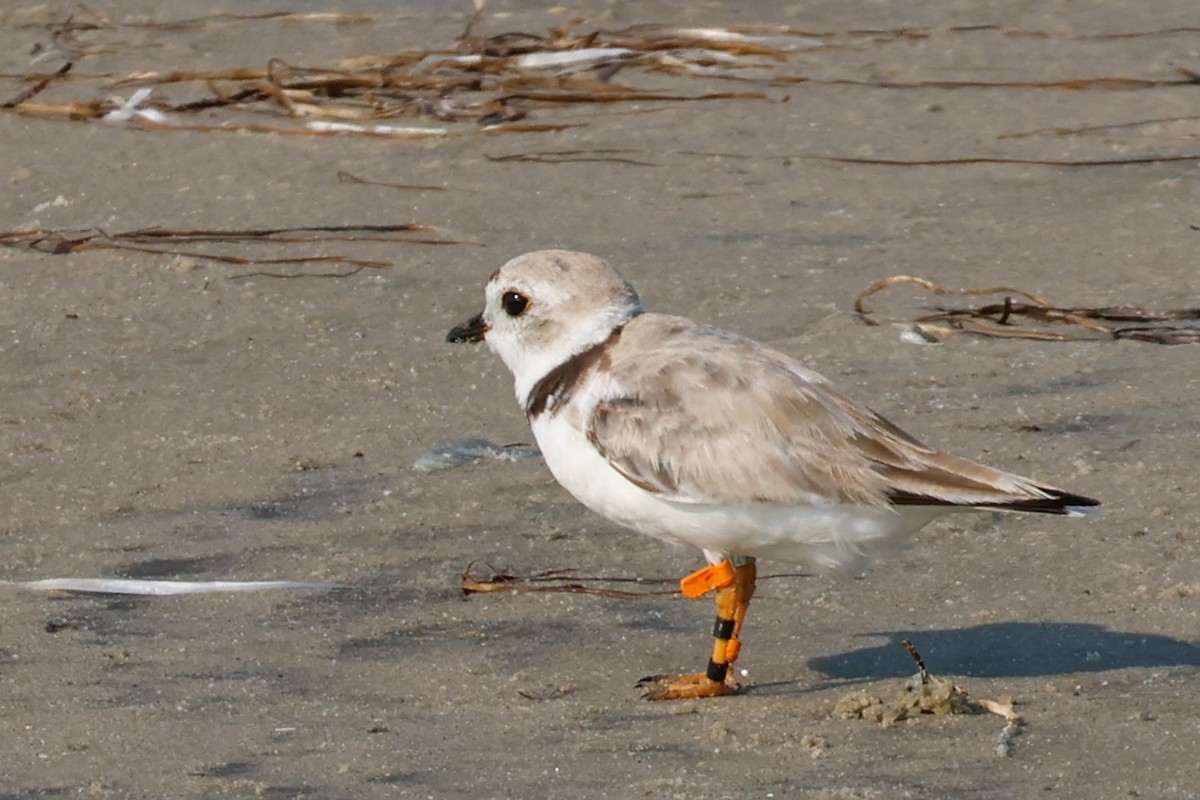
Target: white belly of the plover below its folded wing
827, 538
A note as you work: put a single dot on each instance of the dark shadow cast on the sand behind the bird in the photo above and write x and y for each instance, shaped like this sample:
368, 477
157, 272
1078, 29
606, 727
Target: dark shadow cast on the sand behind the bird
1010, 651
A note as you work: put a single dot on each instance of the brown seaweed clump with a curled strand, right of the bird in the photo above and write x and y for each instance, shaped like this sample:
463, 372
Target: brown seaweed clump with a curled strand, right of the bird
1040, 320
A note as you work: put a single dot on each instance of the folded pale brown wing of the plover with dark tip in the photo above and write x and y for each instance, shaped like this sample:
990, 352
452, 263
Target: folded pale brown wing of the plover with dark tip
700, 416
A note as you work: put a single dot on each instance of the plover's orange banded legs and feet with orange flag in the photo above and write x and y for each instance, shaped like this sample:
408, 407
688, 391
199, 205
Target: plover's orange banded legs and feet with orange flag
735, 584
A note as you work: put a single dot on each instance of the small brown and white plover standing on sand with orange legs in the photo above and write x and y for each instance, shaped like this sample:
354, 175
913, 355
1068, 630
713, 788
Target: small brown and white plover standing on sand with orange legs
694, 435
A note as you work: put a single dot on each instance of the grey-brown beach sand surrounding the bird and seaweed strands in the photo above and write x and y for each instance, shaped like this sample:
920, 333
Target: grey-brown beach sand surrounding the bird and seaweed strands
179, 418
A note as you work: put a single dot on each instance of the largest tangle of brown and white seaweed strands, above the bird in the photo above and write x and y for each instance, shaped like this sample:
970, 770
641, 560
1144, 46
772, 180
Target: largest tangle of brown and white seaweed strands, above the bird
487, 82
